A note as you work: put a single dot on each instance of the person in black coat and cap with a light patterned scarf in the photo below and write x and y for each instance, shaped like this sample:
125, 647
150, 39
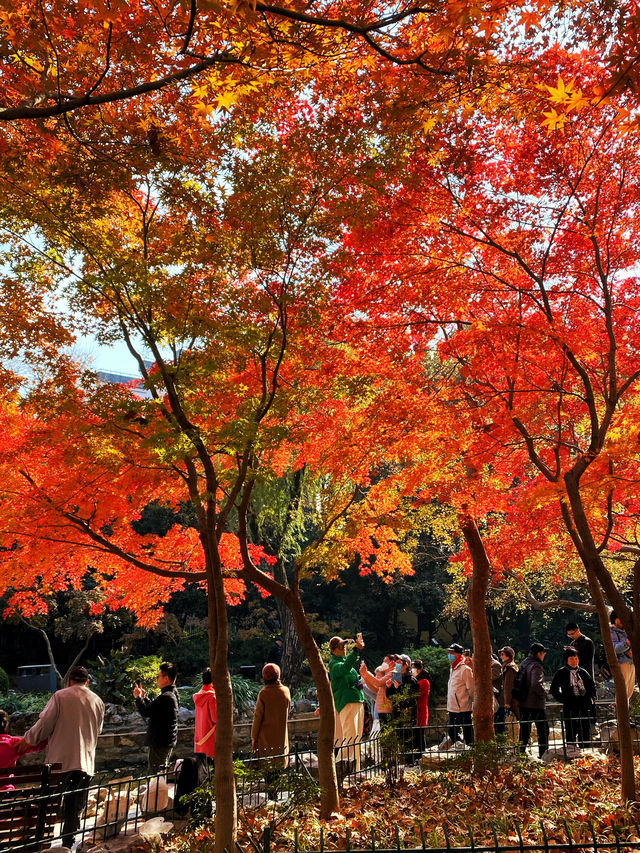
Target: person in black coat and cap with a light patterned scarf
574, 688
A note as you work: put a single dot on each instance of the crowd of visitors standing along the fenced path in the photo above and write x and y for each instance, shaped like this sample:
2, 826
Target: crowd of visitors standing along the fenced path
397, 690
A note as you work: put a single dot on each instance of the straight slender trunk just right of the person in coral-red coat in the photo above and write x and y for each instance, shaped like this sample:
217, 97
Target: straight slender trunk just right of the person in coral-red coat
225, 789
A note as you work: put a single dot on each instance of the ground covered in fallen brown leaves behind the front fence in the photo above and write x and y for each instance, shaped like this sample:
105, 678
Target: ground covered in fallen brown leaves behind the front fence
539, 799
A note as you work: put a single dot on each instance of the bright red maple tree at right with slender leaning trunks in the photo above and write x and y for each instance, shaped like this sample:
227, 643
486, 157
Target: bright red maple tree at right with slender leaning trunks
508, 248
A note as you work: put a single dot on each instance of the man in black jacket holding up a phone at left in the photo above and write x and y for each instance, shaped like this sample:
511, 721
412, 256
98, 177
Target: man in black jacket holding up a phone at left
162, 717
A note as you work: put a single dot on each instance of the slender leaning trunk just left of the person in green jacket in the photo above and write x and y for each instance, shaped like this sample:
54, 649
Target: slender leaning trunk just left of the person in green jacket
329, 797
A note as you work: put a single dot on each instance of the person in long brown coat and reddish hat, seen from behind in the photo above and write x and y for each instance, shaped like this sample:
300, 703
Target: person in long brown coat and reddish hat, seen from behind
269, 735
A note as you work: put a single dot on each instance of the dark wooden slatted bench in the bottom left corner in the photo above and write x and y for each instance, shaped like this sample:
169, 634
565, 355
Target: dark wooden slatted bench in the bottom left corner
29, 812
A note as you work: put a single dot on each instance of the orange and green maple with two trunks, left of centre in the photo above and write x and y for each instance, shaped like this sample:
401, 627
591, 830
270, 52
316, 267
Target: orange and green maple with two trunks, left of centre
218, 268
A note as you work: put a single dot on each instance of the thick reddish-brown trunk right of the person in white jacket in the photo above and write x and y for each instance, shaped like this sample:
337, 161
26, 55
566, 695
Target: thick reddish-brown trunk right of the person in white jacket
476, 604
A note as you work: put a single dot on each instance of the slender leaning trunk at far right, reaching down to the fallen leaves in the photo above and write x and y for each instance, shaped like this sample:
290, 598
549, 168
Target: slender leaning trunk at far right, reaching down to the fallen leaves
627, 773
